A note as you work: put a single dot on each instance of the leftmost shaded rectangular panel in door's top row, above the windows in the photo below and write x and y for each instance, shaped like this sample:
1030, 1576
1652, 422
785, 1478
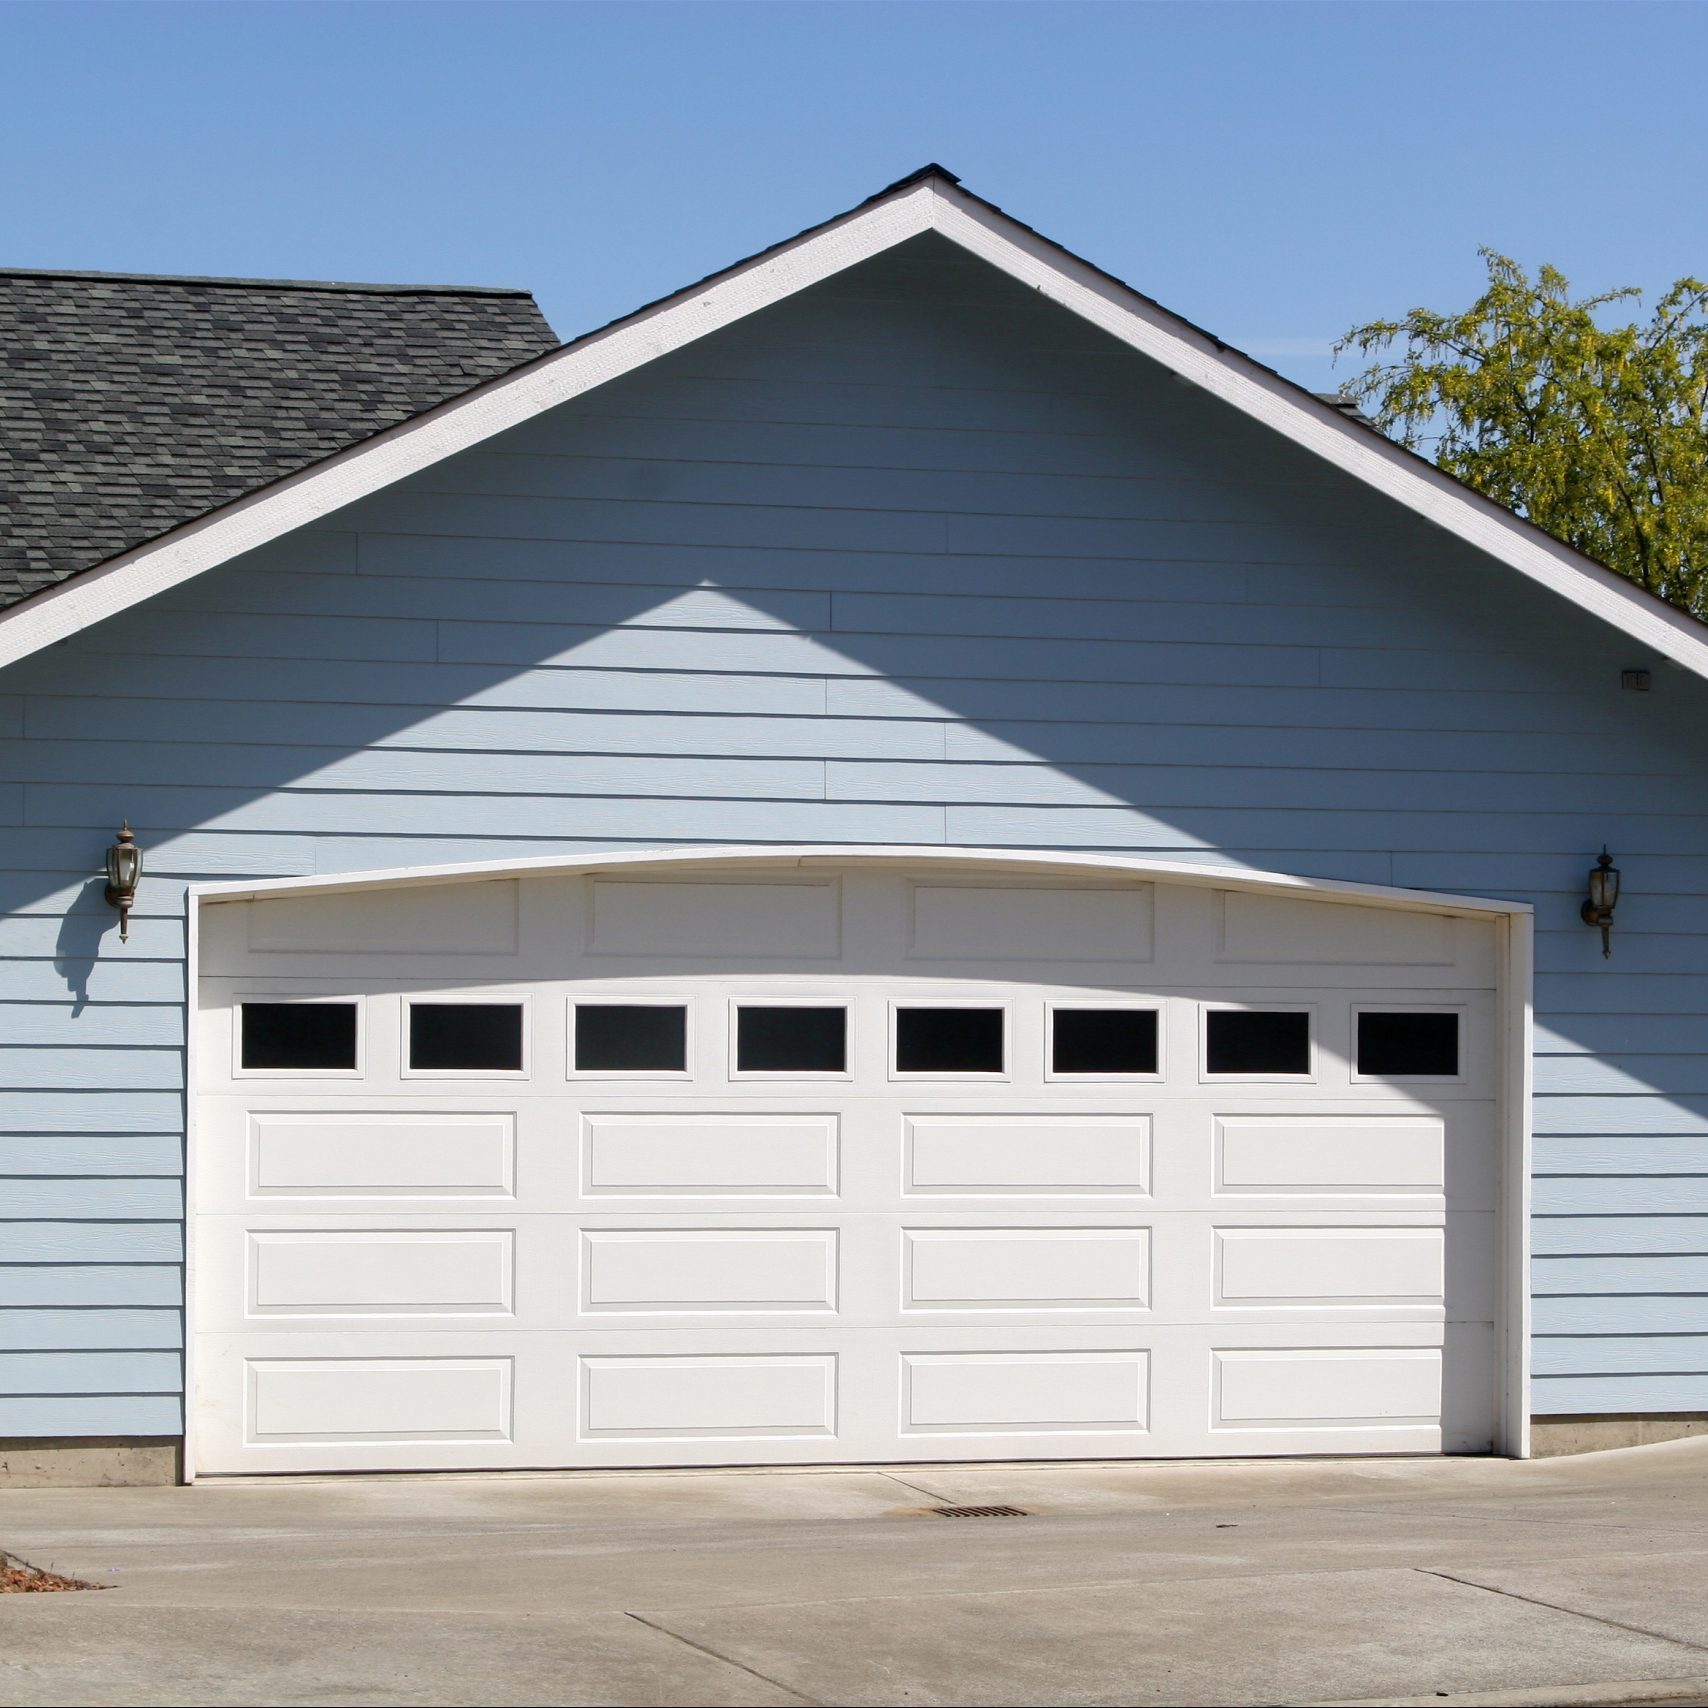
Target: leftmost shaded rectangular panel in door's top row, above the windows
419, 920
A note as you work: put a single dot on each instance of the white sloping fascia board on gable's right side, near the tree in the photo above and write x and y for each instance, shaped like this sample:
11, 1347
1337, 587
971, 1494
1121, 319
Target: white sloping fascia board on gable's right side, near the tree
1319, 428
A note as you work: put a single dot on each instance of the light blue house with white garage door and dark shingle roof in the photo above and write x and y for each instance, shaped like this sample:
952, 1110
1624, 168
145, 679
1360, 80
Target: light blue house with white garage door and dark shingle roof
899, 857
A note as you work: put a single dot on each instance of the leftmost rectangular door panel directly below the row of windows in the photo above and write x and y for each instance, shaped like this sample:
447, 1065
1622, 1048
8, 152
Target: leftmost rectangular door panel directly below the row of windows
390, 1155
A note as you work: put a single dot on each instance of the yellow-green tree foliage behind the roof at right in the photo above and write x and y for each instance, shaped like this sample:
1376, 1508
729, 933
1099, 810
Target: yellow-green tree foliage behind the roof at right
1593, 431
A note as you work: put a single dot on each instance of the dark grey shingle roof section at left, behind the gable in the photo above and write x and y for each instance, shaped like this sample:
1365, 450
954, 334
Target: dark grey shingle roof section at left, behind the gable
136, 404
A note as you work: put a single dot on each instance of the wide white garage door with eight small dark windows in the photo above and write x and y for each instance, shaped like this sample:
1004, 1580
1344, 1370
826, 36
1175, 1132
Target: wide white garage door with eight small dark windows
839, 1166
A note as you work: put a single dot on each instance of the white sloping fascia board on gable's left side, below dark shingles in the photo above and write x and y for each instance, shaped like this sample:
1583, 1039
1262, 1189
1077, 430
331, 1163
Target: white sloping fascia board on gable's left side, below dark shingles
460, 424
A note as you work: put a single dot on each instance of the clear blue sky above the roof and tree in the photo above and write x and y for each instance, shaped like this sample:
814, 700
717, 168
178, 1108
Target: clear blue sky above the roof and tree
1275, 172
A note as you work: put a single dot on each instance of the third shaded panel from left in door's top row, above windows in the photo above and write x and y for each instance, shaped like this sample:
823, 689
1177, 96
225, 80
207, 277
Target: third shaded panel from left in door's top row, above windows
1000, 923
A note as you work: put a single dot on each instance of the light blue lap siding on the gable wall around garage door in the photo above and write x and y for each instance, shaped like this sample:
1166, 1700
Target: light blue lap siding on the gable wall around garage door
915, 558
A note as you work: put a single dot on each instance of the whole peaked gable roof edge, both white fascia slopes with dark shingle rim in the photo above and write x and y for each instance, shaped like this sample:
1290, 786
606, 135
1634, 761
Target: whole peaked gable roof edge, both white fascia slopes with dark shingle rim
927, 201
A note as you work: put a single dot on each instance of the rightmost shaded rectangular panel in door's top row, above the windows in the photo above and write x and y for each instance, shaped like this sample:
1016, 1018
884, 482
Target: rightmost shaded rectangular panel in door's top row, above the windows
1285, 932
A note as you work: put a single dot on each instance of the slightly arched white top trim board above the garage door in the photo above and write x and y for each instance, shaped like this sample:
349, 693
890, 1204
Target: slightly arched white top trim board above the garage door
749, 855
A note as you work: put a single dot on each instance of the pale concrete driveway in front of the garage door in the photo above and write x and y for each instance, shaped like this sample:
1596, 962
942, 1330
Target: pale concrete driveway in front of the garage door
1579, 1581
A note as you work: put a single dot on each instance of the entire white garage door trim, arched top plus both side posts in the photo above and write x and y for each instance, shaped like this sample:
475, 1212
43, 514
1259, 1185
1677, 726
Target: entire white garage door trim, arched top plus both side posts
1514, 998
